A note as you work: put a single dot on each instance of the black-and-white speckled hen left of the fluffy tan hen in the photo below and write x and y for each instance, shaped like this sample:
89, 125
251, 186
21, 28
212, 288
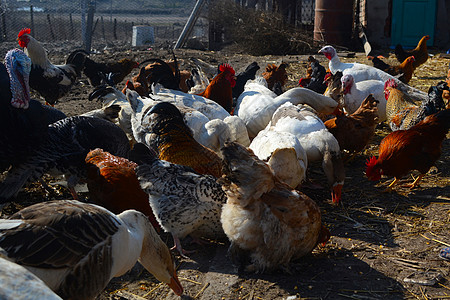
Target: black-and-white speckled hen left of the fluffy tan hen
184, 202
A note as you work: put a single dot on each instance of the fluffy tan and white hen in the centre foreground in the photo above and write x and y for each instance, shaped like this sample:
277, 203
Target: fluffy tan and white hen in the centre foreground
266, 221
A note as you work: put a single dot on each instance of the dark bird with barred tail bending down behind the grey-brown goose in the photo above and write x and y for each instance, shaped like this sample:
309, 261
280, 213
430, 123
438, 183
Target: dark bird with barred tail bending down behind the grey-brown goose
64, 150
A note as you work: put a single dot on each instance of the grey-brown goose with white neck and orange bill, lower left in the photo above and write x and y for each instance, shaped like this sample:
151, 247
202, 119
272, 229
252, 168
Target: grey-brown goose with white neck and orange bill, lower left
77, 248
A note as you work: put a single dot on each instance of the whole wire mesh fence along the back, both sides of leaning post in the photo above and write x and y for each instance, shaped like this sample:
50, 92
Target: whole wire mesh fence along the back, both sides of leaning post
113, 20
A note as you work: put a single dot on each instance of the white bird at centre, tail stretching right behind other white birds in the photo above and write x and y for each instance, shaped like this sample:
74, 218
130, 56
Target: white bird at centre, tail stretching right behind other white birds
256, 105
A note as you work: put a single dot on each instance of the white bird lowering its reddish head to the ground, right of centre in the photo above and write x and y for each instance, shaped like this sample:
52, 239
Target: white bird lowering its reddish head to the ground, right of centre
318, 142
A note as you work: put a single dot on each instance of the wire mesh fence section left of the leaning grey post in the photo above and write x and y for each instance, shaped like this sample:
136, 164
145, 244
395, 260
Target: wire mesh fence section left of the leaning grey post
113, 20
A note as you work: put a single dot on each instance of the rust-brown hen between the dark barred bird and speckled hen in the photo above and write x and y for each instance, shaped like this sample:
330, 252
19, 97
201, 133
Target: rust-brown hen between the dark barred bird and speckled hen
113, 184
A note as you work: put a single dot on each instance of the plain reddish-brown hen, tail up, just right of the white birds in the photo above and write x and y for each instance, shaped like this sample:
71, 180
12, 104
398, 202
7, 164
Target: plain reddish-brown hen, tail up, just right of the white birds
353, 132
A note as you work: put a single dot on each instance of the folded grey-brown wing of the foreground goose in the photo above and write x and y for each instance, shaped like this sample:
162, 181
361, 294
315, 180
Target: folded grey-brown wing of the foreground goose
57, 234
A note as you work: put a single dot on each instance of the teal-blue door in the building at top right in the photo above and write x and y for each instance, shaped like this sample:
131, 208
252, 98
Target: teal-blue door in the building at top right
411, 20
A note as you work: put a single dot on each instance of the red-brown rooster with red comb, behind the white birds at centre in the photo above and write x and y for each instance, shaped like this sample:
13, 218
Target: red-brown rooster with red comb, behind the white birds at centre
220, 89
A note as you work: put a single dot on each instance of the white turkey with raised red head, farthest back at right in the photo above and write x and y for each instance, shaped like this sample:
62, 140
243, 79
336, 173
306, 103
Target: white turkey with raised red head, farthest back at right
363, 72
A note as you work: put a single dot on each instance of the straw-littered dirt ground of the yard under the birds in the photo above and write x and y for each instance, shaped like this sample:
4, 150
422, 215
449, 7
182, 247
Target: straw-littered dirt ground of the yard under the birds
383, 245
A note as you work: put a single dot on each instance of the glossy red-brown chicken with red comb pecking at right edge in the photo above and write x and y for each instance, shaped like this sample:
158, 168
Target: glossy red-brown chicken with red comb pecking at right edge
417, 148
